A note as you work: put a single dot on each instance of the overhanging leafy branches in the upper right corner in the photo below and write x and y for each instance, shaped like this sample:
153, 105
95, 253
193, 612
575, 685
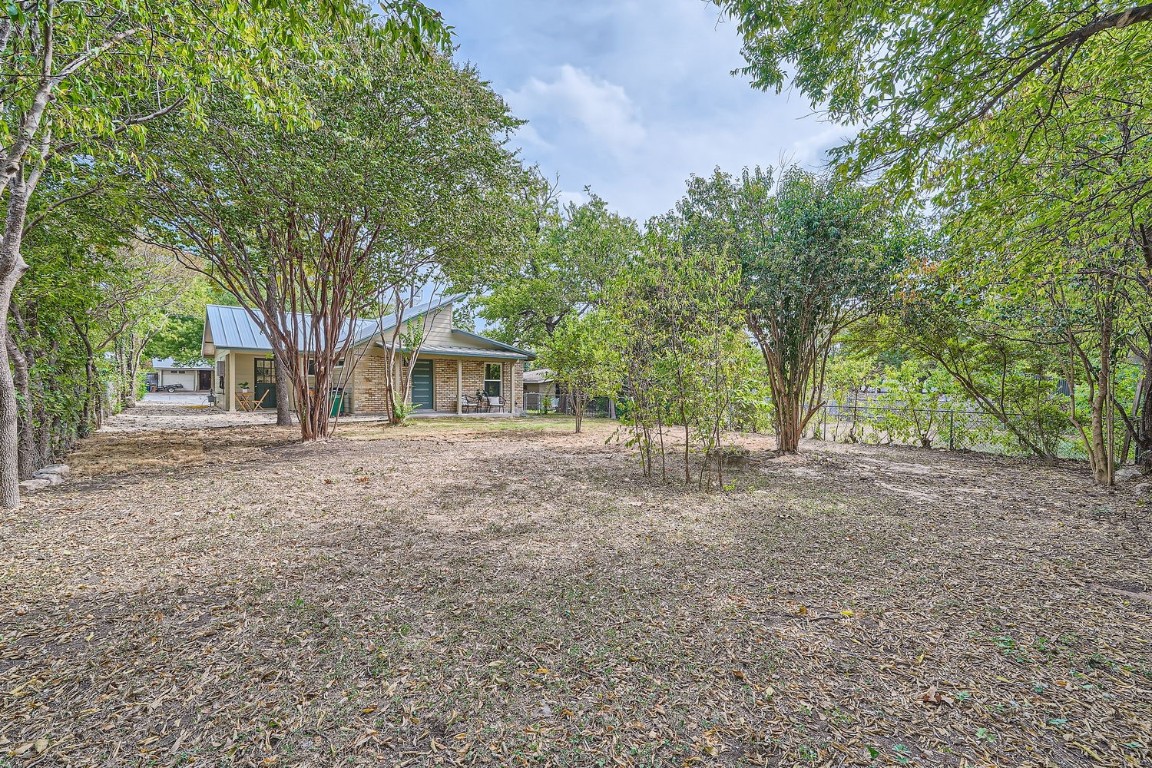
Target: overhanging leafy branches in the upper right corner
914, 73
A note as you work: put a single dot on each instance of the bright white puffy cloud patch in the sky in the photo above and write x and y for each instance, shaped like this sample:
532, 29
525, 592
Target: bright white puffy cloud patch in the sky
603, 109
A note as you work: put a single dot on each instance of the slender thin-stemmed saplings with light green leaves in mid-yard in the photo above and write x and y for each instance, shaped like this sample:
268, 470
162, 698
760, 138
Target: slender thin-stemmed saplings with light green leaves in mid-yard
687, 360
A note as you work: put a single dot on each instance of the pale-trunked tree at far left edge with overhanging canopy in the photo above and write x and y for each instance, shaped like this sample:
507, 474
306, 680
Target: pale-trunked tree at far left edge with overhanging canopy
86, 78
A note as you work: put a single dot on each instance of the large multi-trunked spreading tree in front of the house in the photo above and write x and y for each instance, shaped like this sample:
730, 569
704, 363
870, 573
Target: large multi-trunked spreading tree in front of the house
404, 173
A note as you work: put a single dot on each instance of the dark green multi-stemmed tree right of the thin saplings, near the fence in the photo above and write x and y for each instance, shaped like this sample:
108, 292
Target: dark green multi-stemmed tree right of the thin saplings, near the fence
816, 256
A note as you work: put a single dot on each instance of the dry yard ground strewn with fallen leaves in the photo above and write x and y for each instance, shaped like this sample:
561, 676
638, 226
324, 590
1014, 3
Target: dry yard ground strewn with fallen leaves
507, 594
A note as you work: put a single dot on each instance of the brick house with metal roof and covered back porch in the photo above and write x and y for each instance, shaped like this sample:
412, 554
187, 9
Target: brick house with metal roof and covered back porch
449, 362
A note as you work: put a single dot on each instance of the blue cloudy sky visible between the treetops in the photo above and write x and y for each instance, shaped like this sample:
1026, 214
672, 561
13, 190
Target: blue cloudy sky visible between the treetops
632, 97
